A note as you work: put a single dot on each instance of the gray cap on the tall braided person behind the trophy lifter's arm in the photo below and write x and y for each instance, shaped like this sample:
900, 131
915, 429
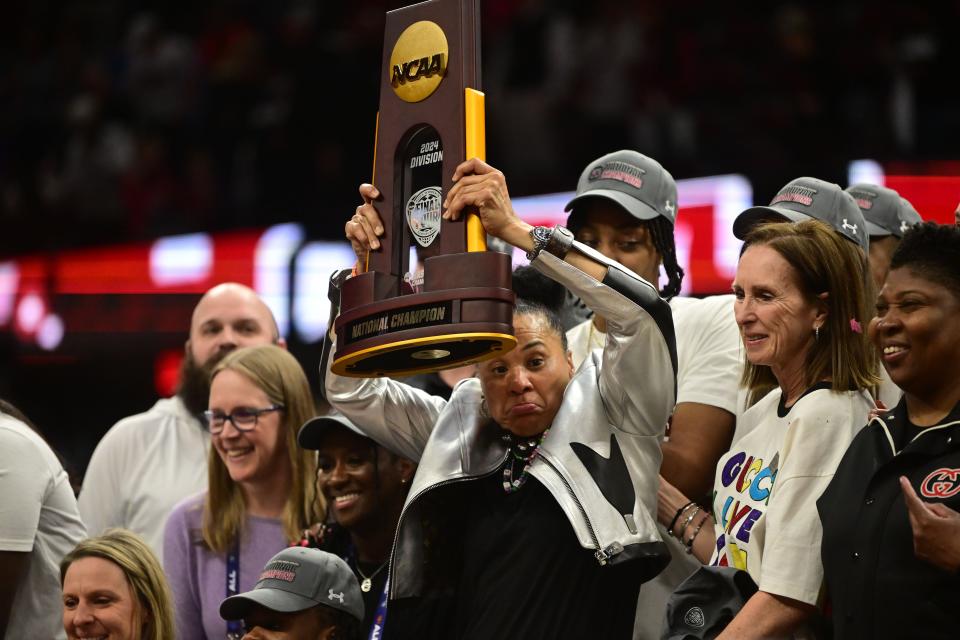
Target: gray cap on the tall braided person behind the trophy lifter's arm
632, 180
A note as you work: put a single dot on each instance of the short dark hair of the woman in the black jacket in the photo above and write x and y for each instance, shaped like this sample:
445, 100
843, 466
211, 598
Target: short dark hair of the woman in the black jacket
931, 251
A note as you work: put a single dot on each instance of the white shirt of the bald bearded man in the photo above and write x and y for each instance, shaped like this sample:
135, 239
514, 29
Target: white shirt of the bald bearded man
142, 468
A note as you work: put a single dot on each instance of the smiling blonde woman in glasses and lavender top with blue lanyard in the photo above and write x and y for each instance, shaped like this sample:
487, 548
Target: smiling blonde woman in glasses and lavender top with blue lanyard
261, 488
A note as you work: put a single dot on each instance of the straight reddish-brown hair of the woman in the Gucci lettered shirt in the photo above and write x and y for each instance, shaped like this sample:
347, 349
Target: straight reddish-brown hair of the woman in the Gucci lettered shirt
823, 262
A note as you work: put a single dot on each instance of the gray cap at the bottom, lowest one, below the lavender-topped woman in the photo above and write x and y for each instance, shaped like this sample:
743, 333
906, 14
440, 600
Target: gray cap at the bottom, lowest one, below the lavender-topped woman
297, 579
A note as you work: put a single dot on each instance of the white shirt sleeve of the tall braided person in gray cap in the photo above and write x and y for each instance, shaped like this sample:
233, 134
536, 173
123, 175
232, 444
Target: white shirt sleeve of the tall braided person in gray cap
709, 353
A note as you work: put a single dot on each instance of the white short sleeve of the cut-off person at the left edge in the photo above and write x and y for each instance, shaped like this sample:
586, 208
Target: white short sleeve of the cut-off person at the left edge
24, 481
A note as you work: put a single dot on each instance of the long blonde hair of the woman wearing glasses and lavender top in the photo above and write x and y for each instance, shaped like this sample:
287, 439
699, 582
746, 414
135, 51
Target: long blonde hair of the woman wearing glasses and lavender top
280, 376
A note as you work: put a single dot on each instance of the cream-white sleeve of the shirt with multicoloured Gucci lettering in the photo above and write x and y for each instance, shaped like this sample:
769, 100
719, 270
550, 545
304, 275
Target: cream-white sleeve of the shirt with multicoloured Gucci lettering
816, 439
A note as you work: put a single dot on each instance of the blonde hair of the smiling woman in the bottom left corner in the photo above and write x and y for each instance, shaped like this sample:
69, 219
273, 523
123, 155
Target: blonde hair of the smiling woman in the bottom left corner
127, 550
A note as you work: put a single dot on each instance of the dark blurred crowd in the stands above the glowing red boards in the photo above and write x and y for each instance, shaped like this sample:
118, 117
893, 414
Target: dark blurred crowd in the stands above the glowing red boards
126, 121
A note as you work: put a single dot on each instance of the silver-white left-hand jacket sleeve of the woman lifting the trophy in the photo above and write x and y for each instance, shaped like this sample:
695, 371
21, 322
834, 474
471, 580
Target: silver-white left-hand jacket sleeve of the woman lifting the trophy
395, 415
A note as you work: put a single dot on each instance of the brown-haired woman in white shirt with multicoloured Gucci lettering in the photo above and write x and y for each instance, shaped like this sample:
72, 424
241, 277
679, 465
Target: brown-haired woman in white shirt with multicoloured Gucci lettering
798, 285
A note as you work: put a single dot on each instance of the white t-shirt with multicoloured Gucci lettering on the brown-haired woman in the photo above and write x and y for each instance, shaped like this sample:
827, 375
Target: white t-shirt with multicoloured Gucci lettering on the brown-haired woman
767, 485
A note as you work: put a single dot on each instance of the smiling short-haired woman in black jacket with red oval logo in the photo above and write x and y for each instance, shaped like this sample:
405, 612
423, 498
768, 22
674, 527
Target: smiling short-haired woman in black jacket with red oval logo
904, 467
